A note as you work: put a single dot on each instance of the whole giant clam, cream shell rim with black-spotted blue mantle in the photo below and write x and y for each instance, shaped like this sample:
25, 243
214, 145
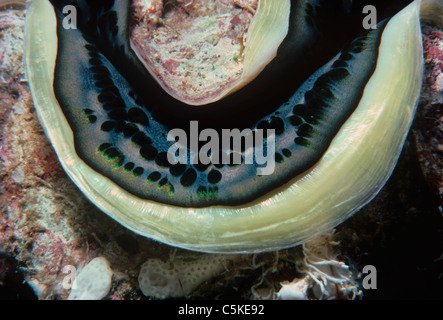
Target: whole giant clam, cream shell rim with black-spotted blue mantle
336, 128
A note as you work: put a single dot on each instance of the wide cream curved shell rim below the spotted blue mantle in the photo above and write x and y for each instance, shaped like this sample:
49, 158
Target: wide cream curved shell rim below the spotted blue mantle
356, 165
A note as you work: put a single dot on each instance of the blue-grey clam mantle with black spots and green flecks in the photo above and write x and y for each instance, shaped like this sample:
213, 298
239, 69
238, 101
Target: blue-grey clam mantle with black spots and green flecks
120, 132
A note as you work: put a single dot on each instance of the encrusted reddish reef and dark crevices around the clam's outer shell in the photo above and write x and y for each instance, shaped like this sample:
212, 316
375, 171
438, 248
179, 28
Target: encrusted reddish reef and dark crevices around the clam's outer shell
46, 224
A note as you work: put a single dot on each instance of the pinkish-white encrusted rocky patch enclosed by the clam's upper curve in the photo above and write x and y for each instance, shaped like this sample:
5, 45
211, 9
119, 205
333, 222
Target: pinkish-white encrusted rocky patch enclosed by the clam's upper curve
188, 40
